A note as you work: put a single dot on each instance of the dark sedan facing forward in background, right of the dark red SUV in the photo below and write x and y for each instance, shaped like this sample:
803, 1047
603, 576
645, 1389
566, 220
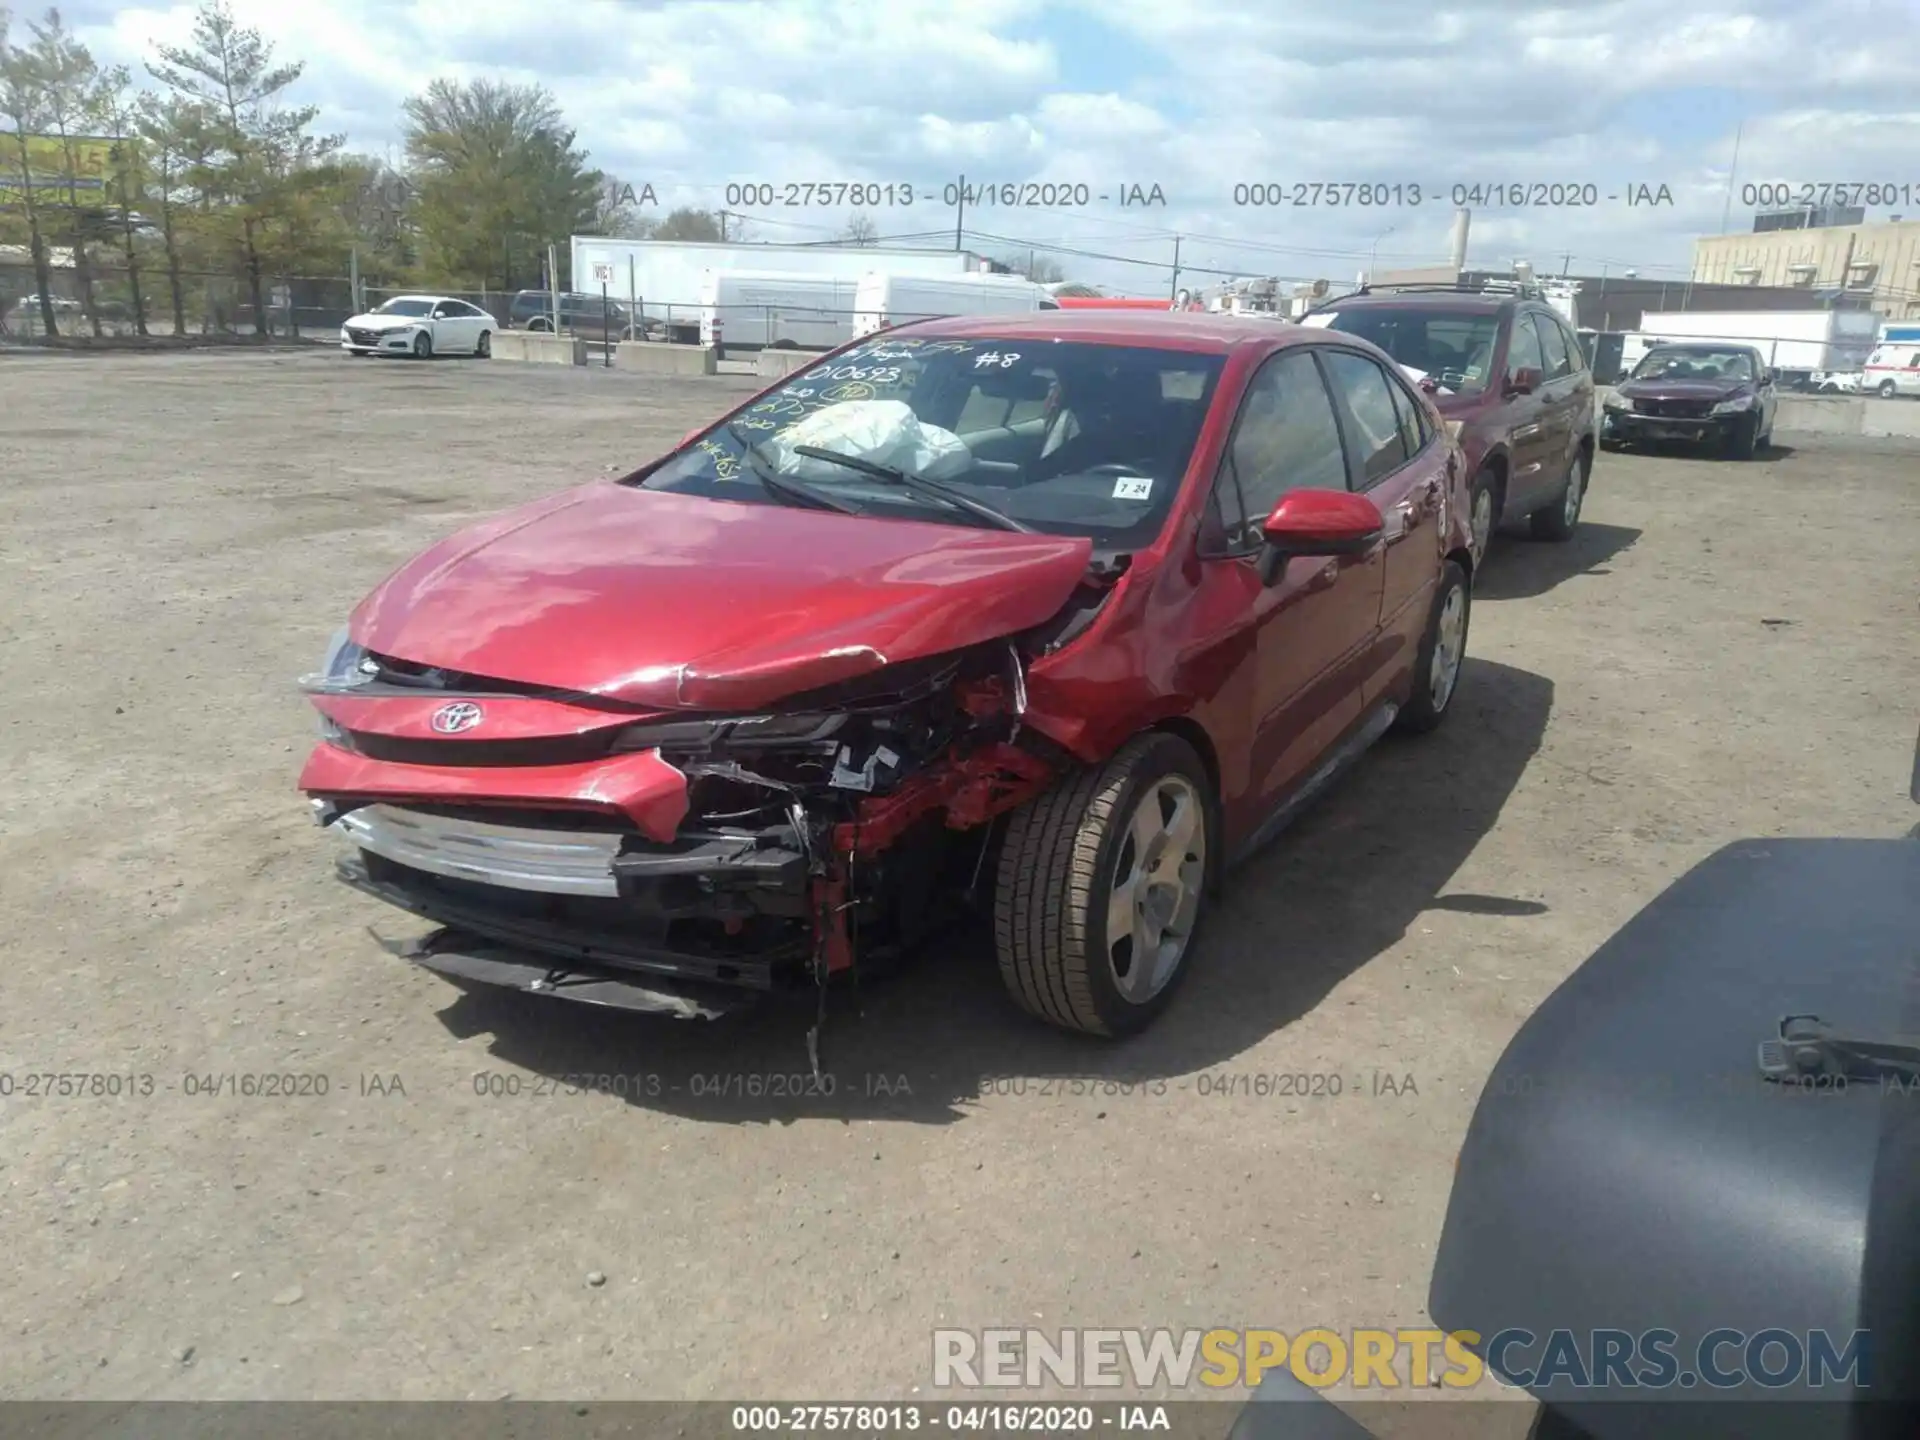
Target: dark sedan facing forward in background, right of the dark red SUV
1704, 395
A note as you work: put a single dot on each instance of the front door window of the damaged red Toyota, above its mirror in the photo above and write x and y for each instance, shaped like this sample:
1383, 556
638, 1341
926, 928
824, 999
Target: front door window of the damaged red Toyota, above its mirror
1285, 439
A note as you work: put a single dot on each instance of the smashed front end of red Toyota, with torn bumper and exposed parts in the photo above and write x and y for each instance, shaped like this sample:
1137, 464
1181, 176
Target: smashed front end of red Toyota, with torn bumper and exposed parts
671, 861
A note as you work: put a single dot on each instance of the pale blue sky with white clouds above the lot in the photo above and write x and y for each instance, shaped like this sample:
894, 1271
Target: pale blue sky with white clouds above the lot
1197, 97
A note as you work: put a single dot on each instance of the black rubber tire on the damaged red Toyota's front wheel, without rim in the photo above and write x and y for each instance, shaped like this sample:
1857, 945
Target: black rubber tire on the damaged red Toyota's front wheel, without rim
1055, 884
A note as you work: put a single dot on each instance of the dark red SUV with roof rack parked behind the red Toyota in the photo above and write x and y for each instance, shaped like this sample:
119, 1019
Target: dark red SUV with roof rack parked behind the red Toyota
1508, 375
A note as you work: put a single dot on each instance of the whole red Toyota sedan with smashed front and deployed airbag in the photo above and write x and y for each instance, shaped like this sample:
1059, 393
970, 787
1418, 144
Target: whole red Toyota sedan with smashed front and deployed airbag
1063, 613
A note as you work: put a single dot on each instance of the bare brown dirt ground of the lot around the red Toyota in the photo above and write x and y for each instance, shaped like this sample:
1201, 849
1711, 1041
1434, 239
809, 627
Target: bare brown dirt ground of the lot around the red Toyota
1725, 650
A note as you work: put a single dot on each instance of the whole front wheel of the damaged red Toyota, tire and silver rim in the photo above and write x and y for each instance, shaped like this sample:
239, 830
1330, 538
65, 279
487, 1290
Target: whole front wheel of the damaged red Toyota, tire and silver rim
1101, 888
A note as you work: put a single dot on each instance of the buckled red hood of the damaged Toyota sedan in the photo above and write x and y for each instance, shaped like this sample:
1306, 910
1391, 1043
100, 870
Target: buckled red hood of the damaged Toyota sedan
681, 602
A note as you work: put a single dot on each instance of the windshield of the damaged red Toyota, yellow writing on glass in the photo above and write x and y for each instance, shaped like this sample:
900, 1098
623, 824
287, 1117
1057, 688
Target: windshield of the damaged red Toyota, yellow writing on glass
1065, 439
